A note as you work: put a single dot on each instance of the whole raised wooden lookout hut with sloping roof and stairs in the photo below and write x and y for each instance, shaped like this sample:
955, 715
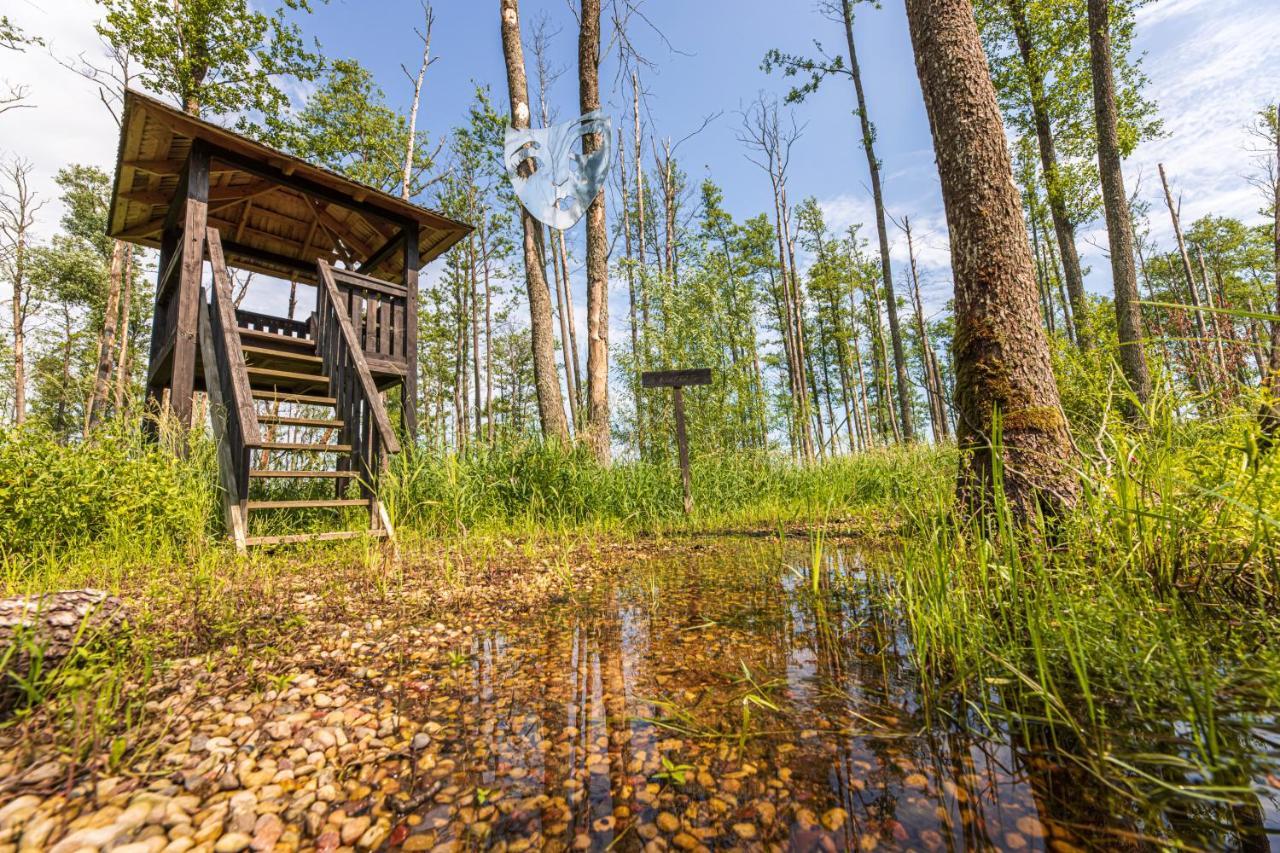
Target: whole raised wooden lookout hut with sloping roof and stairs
200, 193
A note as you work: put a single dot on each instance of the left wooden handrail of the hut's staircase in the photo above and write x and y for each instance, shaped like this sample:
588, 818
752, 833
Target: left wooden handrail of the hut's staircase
243, 435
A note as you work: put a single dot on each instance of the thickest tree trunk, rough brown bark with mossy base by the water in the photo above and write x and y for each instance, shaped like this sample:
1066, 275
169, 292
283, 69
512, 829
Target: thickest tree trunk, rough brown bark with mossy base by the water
1002, 354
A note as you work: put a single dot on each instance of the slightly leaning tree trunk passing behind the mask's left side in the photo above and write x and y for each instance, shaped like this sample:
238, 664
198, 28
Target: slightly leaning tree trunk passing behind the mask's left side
551, 405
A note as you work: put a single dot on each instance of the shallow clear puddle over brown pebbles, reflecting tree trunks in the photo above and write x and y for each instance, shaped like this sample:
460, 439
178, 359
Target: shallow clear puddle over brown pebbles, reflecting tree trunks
717, 703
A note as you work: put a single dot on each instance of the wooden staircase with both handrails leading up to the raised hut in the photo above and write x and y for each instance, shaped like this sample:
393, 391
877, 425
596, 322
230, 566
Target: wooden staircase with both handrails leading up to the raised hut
300, 422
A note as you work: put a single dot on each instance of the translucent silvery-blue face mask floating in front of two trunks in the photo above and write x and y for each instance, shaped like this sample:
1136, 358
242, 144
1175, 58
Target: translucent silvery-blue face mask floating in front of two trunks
552, 177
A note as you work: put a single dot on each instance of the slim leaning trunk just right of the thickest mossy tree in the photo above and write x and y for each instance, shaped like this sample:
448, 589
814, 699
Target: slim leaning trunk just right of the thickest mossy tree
1064, 229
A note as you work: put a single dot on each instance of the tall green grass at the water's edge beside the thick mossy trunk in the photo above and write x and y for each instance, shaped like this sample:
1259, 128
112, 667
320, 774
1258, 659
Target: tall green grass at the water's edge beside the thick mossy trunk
1153, 608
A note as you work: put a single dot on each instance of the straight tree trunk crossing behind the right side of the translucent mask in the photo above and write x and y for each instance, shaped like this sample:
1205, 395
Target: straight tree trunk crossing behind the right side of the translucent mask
598, 435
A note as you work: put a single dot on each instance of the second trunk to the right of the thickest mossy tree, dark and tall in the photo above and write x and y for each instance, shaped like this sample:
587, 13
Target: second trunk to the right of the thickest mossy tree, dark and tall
1124, 275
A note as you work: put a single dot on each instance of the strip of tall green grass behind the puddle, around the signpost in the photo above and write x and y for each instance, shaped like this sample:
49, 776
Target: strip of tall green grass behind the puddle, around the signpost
534, 487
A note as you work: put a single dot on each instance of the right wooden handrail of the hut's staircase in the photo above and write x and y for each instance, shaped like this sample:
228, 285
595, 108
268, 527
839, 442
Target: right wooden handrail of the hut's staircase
367, 427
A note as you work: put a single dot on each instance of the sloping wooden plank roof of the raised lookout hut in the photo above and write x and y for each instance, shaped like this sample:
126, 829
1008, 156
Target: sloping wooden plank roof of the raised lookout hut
277, 215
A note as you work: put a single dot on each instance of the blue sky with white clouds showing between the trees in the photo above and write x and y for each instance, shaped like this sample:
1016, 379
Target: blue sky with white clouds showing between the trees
1212, 63
